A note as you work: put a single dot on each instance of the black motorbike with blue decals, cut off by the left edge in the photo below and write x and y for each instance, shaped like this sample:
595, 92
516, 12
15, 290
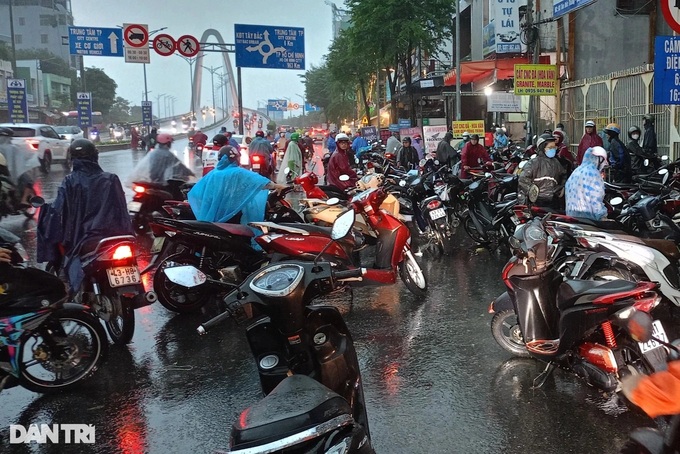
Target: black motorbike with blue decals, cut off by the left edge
47, 344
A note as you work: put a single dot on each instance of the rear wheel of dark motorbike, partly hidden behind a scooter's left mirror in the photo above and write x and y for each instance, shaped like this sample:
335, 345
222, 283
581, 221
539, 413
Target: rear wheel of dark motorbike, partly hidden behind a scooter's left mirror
175, 297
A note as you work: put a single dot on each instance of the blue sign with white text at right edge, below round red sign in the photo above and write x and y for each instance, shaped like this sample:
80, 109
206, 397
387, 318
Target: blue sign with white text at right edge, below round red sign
667, 70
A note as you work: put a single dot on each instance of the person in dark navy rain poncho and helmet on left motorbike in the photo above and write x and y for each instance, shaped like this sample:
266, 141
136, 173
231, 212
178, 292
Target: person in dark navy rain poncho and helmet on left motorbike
90, 206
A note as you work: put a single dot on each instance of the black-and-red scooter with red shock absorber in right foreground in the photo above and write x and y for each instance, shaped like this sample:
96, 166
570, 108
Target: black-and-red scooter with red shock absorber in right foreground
570, 324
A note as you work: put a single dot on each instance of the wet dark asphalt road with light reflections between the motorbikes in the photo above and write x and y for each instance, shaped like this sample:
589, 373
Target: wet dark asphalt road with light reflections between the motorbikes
434, 378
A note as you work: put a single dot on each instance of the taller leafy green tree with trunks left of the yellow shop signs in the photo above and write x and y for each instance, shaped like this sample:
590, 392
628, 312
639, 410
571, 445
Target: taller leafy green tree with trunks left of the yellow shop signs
398, 29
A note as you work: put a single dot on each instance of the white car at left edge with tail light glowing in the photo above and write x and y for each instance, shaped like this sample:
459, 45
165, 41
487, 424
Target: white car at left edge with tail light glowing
43, 140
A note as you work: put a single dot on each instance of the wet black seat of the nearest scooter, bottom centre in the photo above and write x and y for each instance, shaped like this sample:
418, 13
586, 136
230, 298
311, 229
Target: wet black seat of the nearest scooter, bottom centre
298, 403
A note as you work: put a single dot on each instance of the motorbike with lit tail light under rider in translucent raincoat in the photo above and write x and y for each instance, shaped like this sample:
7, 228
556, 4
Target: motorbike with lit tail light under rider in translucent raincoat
149, 198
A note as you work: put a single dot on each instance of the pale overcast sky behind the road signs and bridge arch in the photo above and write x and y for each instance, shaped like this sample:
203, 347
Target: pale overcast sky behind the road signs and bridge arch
170, 75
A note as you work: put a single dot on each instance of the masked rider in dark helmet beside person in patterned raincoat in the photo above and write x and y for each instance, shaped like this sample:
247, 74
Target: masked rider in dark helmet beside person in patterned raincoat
546, 172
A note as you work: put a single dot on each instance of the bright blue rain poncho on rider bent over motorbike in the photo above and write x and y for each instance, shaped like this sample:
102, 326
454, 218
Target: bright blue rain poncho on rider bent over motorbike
228, 190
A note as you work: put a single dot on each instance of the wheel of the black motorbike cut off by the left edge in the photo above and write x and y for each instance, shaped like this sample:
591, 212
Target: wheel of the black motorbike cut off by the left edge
81, 346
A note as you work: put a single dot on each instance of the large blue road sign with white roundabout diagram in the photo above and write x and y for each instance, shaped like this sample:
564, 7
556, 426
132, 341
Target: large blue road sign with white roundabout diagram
269, 46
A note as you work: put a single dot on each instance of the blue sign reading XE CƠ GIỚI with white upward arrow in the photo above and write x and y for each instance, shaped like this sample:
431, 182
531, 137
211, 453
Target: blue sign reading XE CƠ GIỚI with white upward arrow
102, 42
